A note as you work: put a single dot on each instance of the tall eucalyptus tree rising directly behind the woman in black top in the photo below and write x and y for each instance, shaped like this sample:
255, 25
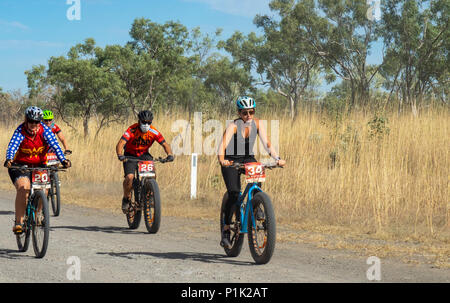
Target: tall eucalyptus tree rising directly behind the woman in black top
281, 57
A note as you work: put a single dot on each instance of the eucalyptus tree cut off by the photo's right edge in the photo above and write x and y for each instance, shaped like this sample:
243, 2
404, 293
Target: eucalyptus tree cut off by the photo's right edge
416, 35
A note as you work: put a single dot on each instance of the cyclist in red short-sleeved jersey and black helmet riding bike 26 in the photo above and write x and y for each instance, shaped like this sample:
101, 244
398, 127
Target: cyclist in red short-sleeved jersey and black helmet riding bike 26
136, 142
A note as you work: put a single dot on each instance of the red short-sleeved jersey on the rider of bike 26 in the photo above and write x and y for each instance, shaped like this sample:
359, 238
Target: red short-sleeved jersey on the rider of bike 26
138, 142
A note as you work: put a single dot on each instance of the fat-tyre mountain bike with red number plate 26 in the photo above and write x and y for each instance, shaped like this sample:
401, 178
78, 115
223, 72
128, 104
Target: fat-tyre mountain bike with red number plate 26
145, 195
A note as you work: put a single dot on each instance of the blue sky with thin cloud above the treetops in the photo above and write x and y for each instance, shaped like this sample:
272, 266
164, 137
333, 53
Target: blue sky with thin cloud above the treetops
31, 31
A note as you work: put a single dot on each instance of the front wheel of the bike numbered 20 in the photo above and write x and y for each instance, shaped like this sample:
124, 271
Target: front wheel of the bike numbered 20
40, 224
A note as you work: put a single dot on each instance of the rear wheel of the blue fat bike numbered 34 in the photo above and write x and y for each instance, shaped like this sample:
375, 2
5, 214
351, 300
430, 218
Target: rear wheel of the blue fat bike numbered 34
236, 238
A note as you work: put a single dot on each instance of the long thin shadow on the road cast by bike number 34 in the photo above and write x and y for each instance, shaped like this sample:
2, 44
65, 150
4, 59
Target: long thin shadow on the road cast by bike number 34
200, 257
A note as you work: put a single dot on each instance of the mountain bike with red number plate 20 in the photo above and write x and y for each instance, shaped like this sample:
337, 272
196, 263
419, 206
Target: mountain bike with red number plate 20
37, 218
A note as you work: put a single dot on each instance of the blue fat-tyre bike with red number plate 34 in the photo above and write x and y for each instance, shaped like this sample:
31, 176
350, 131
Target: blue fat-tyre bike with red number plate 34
254, 216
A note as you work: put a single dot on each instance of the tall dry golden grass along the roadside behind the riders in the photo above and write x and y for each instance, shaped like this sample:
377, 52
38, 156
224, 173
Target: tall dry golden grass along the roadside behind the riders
395, 187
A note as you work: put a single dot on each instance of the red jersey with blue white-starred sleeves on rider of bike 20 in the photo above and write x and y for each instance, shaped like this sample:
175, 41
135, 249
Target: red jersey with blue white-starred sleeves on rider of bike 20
24, 149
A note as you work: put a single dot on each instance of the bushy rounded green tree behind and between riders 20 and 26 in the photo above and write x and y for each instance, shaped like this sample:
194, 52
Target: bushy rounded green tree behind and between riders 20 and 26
85, 88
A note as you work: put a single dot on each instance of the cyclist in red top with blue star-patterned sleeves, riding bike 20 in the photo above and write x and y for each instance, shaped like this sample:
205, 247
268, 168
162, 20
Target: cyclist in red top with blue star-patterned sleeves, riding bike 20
28, 146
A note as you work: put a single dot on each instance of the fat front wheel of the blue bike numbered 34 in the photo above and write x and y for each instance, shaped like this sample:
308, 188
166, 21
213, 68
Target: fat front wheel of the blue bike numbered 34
261, 238
